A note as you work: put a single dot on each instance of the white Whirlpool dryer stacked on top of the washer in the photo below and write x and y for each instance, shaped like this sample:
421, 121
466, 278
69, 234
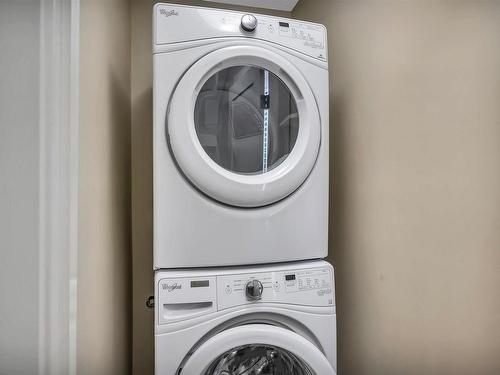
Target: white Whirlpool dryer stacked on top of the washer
240, 138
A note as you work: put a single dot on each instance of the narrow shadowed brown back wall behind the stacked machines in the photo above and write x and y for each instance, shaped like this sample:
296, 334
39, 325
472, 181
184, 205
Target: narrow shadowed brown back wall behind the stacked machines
142, 226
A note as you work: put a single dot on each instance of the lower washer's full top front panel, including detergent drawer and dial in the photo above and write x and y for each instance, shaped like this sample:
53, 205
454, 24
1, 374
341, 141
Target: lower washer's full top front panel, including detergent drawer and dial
182, 295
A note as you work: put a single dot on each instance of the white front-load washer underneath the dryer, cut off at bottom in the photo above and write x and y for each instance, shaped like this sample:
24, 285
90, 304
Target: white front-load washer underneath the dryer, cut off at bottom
267, 320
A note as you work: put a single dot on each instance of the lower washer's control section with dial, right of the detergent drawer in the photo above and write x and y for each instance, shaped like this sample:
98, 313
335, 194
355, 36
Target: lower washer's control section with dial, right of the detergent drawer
309, 287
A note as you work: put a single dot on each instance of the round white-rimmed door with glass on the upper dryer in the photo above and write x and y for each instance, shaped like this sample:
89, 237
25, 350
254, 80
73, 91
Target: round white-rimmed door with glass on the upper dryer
243, 126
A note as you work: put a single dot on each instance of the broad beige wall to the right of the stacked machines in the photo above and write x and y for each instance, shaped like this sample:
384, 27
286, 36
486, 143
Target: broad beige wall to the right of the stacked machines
415, 196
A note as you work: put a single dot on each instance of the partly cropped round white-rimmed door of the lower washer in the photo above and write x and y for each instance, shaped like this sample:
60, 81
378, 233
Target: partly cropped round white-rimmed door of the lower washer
257, 349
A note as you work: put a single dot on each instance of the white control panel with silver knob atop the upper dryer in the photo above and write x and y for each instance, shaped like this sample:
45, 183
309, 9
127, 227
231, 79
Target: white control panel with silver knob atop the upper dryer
178, 23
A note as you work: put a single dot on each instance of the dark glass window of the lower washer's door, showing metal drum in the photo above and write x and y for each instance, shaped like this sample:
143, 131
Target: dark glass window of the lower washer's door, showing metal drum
258, 360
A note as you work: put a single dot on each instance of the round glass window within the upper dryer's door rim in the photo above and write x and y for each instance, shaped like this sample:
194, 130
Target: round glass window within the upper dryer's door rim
246, 119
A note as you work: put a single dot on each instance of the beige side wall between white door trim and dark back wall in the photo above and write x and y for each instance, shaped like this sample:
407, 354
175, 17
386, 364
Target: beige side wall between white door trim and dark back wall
104, 261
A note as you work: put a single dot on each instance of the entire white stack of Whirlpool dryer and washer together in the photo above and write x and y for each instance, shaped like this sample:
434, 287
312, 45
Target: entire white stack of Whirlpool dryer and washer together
241, 195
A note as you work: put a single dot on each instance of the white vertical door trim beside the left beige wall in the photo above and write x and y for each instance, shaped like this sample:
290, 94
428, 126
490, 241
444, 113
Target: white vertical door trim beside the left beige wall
59, 103
